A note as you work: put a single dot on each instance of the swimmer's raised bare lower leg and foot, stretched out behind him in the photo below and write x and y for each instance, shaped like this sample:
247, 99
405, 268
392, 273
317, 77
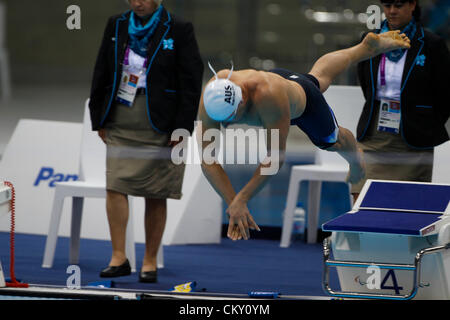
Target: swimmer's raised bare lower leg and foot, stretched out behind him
329, 66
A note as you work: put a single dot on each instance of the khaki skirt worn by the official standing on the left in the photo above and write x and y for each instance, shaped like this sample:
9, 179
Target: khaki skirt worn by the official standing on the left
138, 158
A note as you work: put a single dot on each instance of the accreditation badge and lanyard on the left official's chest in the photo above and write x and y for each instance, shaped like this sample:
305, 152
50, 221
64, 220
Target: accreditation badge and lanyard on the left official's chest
129, 81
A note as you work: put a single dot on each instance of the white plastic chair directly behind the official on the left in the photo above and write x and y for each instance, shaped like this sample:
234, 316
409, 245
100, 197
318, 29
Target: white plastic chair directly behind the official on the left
91, 184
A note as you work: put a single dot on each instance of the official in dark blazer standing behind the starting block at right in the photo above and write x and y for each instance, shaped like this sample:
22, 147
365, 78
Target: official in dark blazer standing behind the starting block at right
406, 106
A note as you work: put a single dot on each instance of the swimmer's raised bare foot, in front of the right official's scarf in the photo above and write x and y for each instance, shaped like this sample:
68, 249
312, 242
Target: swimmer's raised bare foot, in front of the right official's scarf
385, 42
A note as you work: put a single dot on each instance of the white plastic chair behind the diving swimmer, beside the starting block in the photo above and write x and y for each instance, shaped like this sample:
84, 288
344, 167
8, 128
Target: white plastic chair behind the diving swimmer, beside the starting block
347, 103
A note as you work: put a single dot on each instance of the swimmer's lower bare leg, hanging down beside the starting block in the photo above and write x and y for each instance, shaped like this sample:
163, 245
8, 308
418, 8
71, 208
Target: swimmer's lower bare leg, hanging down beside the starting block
347, 147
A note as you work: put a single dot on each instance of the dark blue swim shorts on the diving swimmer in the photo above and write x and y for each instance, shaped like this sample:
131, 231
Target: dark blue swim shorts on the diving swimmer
318, 120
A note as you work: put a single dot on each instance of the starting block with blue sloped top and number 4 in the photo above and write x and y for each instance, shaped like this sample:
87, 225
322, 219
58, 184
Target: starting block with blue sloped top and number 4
393, 244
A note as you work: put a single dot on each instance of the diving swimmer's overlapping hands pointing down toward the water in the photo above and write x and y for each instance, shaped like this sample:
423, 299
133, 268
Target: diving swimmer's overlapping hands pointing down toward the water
240, 220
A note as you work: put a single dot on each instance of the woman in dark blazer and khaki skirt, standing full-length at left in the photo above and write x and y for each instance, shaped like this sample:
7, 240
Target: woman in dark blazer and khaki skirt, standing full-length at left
147, 83
